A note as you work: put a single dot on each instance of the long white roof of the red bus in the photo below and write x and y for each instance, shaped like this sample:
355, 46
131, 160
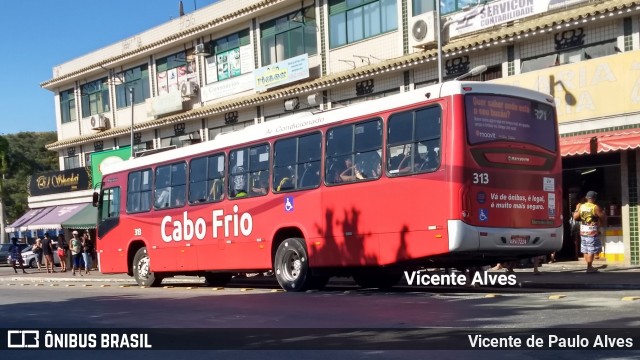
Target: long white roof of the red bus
310, 120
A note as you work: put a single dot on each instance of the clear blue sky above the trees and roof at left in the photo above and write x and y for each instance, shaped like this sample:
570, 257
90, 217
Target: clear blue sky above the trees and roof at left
37, 35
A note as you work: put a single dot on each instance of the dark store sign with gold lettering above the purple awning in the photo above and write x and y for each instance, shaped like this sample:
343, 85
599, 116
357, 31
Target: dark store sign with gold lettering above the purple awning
60, 182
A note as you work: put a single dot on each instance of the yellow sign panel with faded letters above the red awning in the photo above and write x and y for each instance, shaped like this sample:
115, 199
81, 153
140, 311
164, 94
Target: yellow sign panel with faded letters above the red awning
598, 88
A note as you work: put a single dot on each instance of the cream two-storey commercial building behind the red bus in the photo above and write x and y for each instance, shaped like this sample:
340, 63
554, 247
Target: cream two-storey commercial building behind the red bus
241, 62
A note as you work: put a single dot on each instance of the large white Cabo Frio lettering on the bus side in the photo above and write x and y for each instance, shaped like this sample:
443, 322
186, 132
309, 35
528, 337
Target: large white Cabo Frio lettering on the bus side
184, 228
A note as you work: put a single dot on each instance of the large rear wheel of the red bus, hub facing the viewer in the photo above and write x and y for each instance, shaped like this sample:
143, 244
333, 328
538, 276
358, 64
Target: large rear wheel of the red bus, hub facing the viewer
291, 265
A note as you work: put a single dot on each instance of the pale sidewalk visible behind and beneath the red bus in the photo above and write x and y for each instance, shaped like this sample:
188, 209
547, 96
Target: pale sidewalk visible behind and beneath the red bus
559, 275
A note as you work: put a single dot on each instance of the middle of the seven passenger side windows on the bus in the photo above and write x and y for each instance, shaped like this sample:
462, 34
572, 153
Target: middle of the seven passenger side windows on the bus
249, 171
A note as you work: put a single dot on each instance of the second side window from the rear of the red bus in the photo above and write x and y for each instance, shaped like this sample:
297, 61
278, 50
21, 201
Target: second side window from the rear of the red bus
354, 152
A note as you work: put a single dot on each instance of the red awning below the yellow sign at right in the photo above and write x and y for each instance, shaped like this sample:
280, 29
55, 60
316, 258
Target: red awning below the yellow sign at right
602, 142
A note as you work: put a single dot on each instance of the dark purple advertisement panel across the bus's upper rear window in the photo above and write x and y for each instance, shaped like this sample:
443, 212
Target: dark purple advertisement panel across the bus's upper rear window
498, 118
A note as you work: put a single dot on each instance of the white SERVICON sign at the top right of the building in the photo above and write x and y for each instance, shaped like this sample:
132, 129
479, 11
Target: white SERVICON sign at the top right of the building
502, 11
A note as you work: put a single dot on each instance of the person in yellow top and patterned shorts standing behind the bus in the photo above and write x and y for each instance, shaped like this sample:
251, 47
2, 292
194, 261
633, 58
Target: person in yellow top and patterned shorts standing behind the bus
591, 217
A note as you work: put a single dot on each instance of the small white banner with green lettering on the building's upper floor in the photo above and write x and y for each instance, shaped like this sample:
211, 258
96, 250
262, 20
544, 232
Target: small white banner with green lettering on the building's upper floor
281, 73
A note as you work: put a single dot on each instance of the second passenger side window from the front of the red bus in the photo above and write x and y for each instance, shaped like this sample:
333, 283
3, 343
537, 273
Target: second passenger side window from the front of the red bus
170, 185
